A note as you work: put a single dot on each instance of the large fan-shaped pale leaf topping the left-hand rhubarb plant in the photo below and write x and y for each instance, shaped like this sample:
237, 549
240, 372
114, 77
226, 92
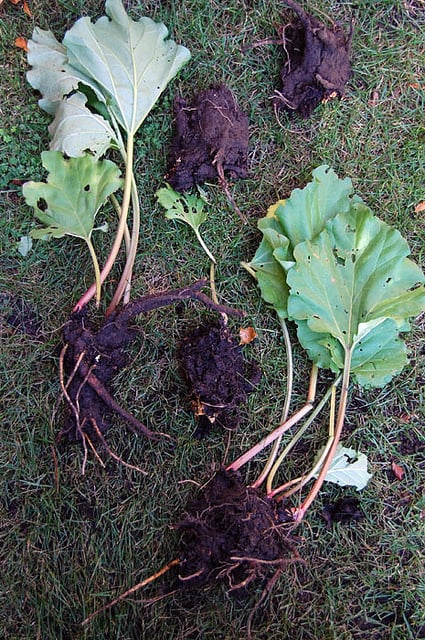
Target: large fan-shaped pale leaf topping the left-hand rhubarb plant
128, 64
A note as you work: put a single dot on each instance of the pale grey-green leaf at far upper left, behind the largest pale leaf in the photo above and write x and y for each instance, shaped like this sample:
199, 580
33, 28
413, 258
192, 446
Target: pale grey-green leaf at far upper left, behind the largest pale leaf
49, 75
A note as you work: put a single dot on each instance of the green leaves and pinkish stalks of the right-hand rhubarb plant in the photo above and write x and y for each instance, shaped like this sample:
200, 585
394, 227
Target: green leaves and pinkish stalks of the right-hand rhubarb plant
327, 263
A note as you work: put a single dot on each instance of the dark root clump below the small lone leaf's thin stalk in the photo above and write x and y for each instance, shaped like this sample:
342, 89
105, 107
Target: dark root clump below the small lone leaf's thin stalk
218, 376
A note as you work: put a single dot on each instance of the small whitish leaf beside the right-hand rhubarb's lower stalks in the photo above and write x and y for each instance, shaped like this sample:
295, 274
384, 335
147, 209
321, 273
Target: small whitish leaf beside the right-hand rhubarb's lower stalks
348, 468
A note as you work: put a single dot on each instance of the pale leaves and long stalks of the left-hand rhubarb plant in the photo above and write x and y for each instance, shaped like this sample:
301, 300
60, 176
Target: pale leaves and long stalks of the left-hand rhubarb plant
99, 84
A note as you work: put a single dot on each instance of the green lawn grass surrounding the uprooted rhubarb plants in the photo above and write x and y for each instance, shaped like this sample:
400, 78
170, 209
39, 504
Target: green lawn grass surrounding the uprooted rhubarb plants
70, 543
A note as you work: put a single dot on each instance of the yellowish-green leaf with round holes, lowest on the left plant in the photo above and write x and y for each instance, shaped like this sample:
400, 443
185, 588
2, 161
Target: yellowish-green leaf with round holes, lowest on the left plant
75, 190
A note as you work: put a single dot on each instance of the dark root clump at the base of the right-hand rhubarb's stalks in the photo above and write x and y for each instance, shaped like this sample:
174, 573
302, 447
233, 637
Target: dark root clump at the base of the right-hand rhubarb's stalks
232, 533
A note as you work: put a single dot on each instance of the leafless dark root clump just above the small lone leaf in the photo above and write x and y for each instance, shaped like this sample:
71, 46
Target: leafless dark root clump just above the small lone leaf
211, 140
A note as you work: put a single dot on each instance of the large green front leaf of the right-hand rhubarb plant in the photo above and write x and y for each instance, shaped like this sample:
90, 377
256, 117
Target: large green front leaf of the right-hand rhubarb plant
345, 287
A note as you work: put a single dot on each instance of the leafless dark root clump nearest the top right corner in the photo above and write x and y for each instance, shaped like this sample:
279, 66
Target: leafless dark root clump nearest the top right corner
317, 66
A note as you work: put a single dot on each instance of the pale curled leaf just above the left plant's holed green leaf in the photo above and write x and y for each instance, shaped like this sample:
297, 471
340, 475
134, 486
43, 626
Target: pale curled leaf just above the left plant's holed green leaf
75, 130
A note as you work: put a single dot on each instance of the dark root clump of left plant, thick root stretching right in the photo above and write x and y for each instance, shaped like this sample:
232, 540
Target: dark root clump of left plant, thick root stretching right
91, 358
